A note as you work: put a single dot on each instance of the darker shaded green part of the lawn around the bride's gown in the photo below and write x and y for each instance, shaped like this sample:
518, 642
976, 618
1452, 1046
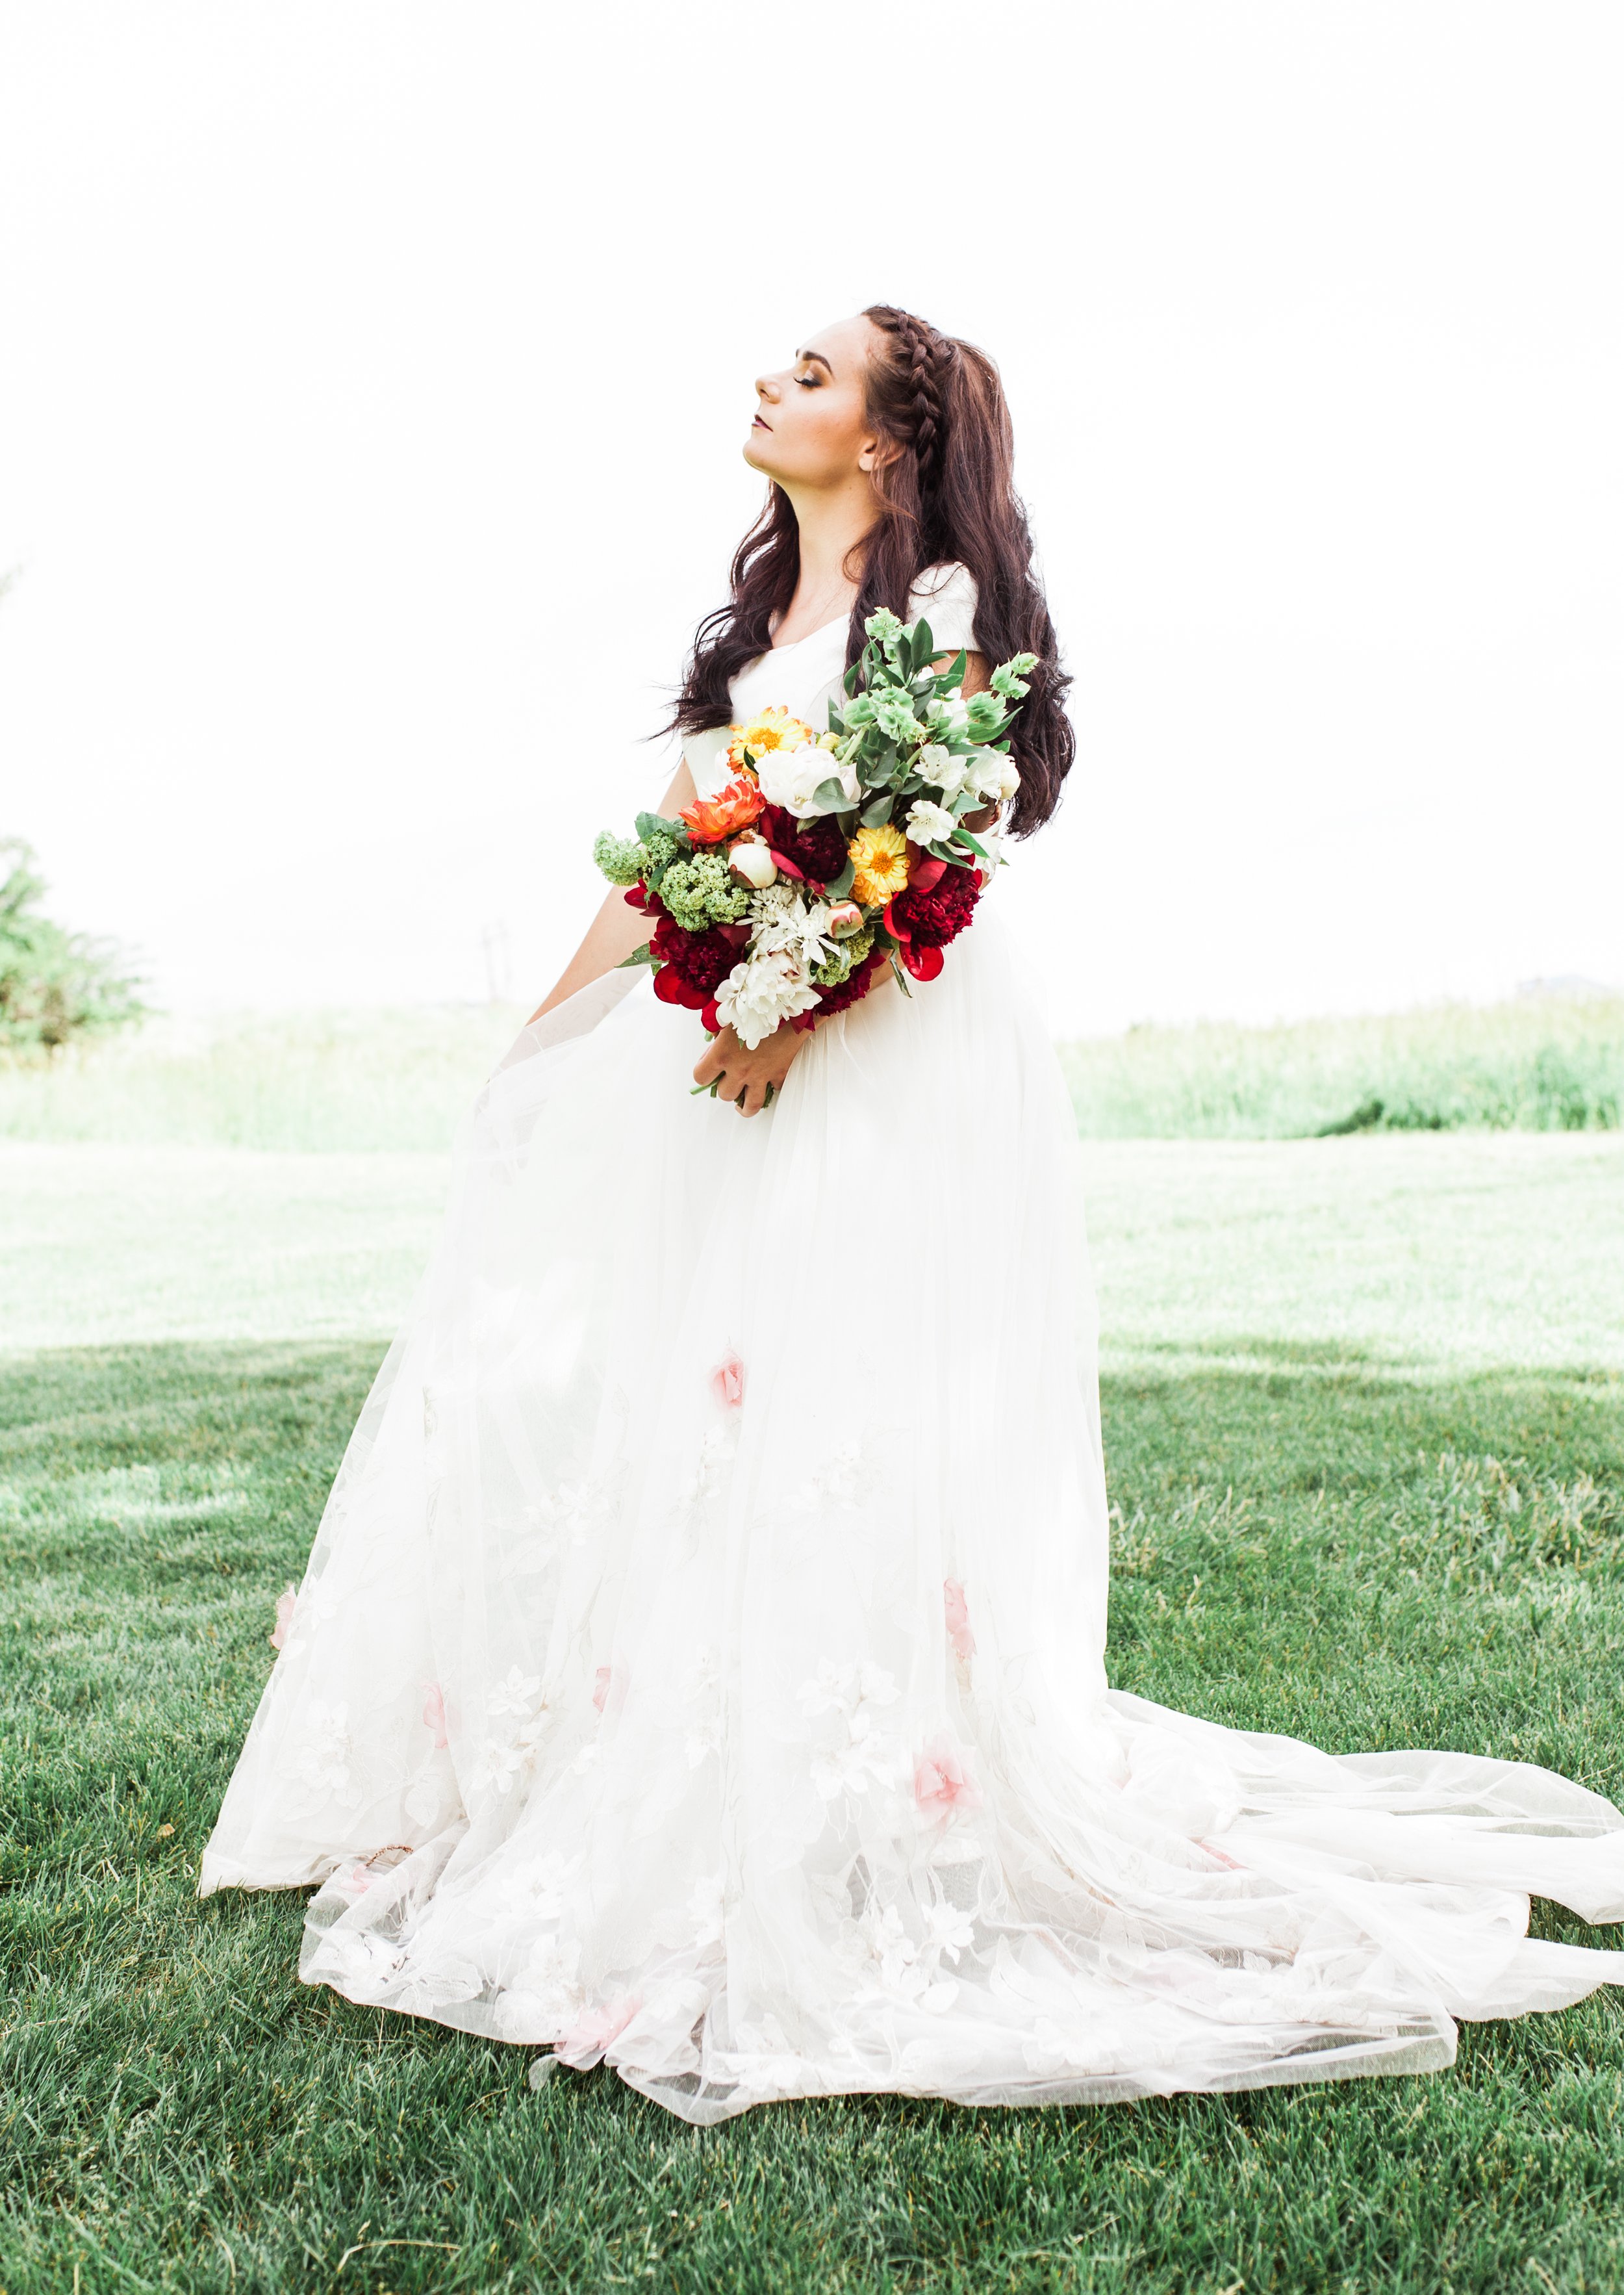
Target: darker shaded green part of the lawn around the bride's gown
1320, 1543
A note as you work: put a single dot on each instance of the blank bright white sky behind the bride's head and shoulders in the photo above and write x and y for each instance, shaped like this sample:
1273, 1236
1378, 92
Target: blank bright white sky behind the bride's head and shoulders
370, 417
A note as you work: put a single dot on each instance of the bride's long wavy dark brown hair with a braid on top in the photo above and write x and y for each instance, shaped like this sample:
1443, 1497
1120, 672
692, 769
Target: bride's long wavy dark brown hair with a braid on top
948, 495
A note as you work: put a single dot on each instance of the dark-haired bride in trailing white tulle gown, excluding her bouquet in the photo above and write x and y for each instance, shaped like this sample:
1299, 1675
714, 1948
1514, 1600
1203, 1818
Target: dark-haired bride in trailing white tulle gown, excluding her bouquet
701, 1663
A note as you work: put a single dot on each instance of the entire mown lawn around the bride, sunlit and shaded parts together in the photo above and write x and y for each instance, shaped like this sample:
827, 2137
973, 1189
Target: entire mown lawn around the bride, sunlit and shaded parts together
1366, 1436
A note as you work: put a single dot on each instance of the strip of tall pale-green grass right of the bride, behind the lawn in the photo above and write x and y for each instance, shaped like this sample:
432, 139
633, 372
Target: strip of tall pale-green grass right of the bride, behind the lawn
1540, 1064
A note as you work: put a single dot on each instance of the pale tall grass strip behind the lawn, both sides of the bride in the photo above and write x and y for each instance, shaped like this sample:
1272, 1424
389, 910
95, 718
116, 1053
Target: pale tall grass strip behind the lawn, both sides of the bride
400, 1080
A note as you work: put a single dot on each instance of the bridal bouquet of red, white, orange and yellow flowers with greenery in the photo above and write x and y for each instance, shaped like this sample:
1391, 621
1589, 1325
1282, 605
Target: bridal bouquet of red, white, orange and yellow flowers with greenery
827, 857
